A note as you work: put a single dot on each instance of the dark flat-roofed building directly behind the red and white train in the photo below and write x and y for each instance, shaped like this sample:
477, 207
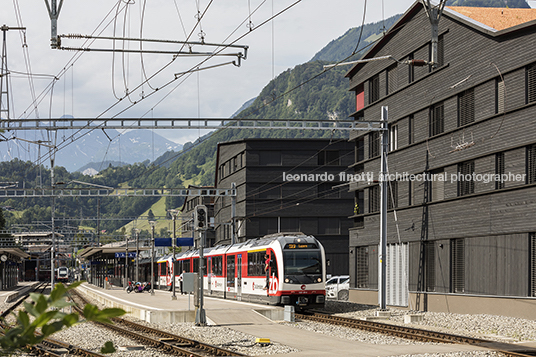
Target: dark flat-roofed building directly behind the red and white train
270, 201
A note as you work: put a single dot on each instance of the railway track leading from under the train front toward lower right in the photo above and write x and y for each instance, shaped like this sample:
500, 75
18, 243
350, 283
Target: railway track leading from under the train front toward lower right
418, 334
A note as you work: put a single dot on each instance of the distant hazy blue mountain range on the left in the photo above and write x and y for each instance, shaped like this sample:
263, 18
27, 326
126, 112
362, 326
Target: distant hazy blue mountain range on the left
97, 147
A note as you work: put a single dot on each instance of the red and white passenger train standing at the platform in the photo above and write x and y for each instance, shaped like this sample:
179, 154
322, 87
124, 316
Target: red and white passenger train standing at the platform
296, 274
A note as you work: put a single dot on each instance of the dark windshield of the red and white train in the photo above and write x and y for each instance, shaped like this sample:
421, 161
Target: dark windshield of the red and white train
302, 267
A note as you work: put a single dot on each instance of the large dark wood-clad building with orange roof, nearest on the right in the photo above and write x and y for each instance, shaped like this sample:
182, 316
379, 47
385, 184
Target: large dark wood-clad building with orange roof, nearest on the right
466, 238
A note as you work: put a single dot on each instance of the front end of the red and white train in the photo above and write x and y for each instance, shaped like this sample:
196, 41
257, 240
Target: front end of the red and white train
303, 275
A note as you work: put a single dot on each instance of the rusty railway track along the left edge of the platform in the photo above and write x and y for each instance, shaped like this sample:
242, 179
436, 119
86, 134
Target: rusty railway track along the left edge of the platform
164, 341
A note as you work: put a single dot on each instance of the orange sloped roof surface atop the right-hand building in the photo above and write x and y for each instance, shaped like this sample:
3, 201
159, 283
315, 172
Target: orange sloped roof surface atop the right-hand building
498, 18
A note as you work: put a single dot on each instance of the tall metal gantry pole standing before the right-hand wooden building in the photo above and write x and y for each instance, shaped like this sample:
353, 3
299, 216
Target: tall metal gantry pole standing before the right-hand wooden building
383, 210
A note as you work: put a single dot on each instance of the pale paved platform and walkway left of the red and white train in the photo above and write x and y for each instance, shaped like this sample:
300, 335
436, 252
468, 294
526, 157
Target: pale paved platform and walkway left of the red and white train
246, 318
